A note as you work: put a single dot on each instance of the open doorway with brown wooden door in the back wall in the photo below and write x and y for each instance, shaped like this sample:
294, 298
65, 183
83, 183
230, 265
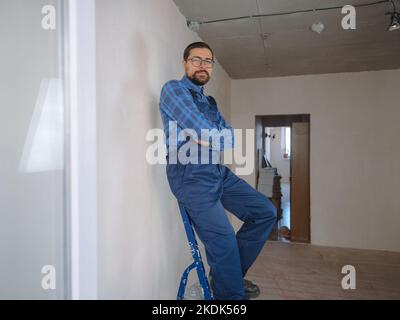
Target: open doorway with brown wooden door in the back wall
283, 174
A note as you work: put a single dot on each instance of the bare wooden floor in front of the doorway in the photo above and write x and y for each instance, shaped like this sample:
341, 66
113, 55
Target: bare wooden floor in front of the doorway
304, 271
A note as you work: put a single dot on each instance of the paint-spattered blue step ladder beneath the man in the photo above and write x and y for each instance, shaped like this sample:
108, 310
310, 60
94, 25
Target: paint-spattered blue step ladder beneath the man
197, 261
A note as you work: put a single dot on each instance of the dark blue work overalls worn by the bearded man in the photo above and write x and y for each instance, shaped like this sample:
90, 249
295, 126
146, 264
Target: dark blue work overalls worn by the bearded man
206, 190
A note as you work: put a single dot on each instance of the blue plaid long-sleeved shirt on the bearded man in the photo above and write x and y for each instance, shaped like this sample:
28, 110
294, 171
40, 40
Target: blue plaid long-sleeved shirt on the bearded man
177, 104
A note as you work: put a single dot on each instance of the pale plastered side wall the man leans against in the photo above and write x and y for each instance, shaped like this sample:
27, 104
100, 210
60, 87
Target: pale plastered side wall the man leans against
142, 245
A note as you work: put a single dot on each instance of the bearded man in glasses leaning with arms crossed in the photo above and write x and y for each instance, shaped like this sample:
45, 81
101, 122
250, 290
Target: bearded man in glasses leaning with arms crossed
205, 189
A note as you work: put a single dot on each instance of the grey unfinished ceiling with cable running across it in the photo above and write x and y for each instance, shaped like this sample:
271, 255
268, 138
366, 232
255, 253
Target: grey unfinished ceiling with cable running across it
291, 48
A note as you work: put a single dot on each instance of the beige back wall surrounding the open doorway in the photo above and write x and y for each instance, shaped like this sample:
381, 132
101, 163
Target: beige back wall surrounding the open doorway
355, 167
